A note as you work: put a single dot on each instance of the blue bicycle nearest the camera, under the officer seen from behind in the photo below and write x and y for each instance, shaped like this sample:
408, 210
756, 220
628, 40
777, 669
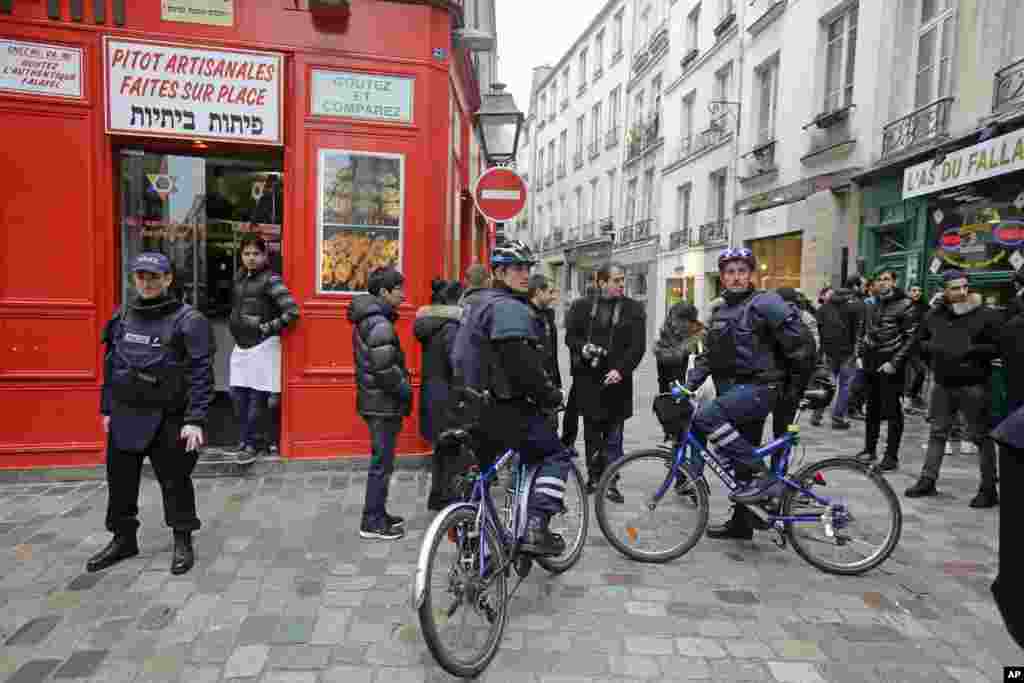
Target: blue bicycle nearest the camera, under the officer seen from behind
461, 591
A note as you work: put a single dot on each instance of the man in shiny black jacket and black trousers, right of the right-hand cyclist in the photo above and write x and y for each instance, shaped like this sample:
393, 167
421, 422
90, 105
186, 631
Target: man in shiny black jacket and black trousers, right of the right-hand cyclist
883, 349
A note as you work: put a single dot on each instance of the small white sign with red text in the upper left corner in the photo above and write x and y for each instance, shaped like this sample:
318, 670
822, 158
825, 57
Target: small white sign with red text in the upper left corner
39, 69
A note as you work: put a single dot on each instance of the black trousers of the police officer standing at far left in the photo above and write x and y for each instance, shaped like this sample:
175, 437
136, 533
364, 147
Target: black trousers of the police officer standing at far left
174, 468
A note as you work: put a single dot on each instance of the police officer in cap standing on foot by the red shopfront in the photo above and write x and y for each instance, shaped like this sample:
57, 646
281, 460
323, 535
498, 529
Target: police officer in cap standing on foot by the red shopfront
158, 385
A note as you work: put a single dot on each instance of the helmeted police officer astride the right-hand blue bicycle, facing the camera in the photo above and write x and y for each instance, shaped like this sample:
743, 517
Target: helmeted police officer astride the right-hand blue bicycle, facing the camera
757, 355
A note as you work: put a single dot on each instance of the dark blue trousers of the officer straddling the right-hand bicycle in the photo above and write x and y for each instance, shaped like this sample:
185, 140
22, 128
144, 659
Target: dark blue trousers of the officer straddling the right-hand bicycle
733, 424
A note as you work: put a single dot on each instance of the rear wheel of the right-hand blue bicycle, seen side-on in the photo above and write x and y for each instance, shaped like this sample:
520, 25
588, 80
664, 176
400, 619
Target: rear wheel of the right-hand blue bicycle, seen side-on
862, 534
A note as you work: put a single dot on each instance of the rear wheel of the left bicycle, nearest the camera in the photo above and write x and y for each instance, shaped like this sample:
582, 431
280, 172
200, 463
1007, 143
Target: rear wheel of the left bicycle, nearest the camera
462, 621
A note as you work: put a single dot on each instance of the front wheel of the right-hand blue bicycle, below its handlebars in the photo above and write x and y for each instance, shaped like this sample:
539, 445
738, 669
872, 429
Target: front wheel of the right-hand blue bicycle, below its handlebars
639, 528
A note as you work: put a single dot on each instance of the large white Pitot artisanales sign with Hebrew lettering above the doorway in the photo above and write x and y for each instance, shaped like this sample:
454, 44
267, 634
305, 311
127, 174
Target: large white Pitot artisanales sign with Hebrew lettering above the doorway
157, 90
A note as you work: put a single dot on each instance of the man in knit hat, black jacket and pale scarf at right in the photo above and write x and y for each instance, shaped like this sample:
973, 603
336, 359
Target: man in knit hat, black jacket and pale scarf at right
960, 338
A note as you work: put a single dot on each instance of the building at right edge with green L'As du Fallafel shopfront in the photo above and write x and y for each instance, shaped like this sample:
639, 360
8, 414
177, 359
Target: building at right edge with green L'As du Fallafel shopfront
946, 186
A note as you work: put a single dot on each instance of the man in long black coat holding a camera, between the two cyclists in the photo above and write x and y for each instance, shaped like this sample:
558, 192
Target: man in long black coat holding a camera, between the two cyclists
607, 336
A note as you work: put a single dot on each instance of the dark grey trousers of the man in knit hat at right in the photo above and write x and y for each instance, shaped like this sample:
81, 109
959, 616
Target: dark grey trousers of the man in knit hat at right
976, 405
